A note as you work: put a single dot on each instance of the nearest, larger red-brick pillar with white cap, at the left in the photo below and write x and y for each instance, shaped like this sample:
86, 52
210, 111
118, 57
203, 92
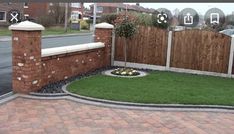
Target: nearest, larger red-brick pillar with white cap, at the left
26, 56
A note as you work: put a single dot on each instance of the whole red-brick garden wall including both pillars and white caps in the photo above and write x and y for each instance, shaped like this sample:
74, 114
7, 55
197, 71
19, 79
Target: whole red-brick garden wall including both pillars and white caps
34, 68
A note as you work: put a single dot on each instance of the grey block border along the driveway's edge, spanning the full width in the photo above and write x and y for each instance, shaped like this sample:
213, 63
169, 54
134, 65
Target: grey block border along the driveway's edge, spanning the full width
166, 108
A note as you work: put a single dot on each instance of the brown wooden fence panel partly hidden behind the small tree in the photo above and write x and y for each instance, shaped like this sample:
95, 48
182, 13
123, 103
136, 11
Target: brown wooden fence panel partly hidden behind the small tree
148, 46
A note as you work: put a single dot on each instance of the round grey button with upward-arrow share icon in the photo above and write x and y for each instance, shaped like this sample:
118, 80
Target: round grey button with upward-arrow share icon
188, 17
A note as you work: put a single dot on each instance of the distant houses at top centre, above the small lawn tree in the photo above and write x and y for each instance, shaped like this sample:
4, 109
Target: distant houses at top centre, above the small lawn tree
105, 8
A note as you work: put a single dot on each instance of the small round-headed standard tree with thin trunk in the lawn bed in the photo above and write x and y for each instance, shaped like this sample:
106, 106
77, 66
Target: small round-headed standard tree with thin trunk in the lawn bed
125, 29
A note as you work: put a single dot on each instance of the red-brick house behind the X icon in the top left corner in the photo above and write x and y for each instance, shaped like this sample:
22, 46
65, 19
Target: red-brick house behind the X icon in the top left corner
5, 8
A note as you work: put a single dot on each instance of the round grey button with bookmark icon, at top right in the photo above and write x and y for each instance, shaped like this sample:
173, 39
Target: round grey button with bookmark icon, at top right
214, 17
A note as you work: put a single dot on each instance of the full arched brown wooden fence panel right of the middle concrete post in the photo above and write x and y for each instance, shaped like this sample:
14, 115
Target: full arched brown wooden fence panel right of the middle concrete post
200, 50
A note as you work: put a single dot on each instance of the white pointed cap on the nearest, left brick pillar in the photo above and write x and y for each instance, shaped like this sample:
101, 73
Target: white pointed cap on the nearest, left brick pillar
26, 26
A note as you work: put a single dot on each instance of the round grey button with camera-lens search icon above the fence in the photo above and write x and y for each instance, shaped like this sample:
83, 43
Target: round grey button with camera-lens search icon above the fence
163, 17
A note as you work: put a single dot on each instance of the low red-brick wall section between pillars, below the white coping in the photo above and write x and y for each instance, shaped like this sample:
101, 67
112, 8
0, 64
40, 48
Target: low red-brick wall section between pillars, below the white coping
63, 66
